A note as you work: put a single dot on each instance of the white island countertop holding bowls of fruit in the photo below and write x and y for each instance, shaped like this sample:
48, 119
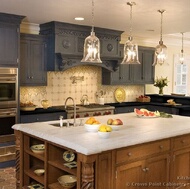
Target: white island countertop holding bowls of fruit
134, 131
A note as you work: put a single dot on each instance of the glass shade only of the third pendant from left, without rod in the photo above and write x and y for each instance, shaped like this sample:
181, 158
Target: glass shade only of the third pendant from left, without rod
160, 54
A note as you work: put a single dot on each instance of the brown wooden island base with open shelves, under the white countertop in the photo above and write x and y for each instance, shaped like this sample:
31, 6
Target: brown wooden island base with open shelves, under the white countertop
161, 164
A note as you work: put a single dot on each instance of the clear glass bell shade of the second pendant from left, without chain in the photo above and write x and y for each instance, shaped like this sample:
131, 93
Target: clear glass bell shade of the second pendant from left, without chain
130, 53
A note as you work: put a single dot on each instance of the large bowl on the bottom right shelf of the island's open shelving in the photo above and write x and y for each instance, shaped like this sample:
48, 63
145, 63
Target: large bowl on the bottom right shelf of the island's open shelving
67, 181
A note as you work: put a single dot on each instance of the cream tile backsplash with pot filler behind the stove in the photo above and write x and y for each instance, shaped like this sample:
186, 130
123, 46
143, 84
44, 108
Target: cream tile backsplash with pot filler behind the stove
76, 82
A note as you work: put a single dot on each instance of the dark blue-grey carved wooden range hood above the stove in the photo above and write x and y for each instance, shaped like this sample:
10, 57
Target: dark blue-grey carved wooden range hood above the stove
66, 41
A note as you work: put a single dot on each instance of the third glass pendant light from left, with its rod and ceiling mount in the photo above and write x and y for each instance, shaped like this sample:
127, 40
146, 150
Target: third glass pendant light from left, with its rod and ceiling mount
161, 50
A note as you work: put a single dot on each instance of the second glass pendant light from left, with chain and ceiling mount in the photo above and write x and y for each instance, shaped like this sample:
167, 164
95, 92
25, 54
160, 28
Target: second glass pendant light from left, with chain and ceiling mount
130, 49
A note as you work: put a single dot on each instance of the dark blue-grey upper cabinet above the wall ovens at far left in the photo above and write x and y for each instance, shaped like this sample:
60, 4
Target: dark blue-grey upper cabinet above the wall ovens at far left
9, 39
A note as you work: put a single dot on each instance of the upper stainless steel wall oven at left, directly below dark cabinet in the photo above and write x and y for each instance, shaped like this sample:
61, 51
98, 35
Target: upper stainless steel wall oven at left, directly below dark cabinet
8, 87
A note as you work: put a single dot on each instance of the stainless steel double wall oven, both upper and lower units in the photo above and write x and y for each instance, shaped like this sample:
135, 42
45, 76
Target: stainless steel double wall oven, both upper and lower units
8, 99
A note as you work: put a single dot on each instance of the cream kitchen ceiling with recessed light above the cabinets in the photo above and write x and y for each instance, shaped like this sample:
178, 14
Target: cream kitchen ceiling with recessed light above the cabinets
112, 14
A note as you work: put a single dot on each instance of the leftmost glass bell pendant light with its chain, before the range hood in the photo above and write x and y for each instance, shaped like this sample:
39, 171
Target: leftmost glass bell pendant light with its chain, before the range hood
92, 45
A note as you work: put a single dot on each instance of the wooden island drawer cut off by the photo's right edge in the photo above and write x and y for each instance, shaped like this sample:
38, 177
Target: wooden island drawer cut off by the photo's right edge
181, 142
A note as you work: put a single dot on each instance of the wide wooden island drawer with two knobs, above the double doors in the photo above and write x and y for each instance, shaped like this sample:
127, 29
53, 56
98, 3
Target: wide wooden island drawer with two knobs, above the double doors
139, 151
